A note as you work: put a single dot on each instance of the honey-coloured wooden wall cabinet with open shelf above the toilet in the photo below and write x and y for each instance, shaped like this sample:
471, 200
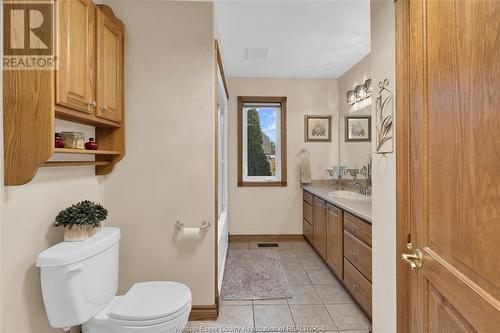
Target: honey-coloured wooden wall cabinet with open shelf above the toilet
73, 92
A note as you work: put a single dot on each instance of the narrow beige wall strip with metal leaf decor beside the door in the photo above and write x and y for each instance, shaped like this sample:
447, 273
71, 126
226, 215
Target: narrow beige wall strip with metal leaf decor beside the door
384, 177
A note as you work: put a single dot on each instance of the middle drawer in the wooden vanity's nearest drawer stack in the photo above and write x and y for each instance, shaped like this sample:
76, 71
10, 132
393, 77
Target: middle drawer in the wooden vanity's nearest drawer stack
359, 254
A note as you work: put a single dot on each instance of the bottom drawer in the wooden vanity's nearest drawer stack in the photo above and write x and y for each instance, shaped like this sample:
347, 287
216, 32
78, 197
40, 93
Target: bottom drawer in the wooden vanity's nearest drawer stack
359, 286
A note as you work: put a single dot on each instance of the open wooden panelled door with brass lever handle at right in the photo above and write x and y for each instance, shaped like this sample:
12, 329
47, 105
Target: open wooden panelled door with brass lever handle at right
454, 164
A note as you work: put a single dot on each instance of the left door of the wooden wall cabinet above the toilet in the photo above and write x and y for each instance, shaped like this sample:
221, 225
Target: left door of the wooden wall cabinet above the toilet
75, 77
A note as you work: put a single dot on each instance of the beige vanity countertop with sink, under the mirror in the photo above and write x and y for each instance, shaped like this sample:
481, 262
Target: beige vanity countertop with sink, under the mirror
360, 208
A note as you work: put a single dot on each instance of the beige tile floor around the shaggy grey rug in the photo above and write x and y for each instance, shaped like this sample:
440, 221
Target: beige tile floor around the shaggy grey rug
319, 302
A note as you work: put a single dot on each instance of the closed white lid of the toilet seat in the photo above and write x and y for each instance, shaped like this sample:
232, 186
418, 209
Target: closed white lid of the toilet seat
152, 300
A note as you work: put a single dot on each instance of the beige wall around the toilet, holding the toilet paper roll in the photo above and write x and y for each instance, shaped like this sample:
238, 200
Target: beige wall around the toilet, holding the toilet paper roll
169, 101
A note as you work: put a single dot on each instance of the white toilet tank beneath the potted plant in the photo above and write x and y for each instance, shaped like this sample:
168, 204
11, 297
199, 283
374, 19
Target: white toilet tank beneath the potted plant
79, 278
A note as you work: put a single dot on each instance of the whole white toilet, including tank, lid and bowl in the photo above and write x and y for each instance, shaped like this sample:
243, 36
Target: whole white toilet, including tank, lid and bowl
79, 282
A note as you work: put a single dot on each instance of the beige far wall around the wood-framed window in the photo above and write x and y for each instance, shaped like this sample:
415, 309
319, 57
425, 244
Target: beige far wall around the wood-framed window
278, 210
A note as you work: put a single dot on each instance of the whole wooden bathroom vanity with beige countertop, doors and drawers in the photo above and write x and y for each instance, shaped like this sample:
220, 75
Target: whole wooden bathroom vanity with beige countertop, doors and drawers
340, 231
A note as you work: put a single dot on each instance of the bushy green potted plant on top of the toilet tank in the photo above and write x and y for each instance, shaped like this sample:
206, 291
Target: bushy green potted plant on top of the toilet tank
81, 220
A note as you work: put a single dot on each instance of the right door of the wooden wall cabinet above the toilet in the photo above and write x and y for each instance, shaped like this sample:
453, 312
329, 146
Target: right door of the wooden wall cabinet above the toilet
109, 65
